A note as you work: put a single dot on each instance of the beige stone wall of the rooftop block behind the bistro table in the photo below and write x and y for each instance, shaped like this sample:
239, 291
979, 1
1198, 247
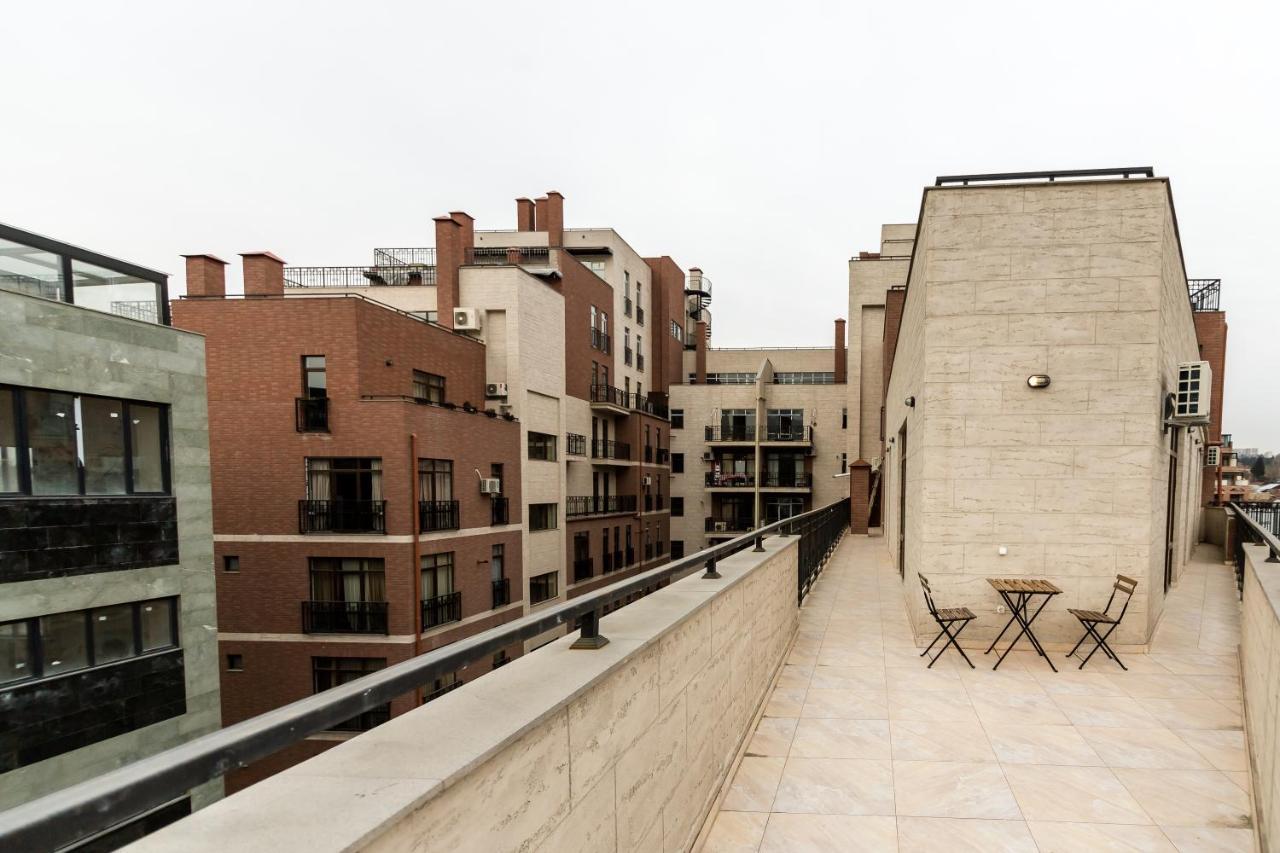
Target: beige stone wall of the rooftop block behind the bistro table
1085, 284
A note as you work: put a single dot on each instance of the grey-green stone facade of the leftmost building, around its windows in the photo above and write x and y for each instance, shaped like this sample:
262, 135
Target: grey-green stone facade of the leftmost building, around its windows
65, 348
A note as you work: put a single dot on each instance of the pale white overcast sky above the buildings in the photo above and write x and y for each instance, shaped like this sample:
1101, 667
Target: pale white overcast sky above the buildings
764, 143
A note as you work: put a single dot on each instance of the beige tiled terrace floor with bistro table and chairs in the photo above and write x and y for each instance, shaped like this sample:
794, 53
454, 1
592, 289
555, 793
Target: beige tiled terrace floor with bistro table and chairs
863, 749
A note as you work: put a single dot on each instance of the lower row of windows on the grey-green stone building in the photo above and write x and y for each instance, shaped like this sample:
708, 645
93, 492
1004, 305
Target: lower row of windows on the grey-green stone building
47, 646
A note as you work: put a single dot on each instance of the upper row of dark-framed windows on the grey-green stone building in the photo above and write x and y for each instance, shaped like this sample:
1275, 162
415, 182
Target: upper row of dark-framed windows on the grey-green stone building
60, 444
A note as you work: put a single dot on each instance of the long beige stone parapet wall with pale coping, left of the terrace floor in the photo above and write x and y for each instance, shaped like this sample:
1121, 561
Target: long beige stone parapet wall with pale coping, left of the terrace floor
623, 749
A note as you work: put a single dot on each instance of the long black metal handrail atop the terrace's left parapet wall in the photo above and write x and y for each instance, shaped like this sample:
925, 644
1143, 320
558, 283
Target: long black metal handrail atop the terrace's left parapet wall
89, 808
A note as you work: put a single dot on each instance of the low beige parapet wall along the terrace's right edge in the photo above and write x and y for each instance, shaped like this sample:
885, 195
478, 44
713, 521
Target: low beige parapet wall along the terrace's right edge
1260, 664
